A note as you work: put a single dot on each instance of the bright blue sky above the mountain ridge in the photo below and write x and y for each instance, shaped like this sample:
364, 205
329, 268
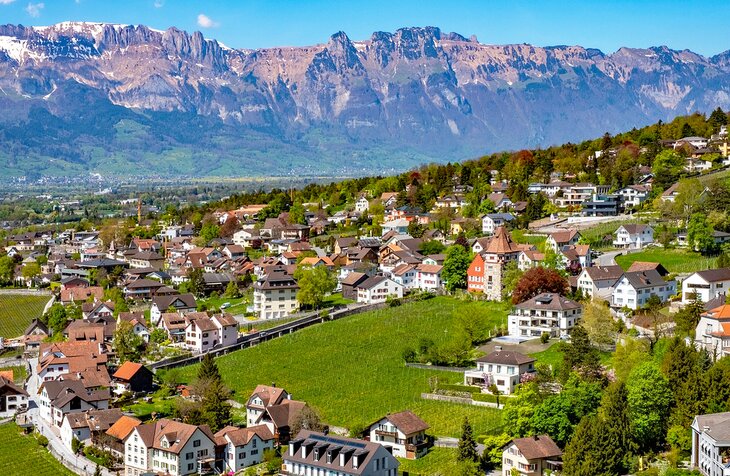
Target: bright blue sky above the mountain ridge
607, 25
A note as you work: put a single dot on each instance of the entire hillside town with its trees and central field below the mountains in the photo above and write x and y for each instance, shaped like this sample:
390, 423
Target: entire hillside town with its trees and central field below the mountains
558, 311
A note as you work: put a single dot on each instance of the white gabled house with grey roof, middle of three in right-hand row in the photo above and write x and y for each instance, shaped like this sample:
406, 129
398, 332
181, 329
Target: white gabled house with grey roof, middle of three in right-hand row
633, 289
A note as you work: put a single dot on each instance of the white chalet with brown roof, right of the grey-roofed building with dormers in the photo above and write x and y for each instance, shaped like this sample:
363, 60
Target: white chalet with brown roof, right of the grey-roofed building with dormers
403, 433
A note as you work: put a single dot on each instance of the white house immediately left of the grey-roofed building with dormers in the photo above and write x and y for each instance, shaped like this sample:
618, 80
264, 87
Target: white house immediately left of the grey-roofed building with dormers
244, 447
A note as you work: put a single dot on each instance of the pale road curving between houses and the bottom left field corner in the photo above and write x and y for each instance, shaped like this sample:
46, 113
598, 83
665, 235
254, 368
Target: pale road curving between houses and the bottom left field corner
78, 464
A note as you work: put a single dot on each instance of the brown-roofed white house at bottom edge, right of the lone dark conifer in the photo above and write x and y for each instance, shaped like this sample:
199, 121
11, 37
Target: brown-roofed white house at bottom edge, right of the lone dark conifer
531, 456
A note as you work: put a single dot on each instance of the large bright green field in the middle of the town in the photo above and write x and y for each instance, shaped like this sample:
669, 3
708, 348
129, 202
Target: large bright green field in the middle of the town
351, 370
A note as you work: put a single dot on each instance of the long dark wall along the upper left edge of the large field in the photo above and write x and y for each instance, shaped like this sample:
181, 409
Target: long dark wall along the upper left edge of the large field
252, 340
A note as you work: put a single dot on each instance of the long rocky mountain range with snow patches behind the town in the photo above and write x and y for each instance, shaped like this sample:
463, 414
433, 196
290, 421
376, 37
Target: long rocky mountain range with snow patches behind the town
130, 100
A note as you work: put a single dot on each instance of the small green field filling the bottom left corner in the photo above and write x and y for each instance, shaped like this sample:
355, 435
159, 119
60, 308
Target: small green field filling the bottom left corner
22, 455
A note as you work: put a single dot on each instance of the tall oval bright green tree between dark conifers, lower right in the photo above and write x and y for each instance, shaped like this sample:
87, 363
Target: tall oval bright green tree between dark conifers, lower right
650, 401
